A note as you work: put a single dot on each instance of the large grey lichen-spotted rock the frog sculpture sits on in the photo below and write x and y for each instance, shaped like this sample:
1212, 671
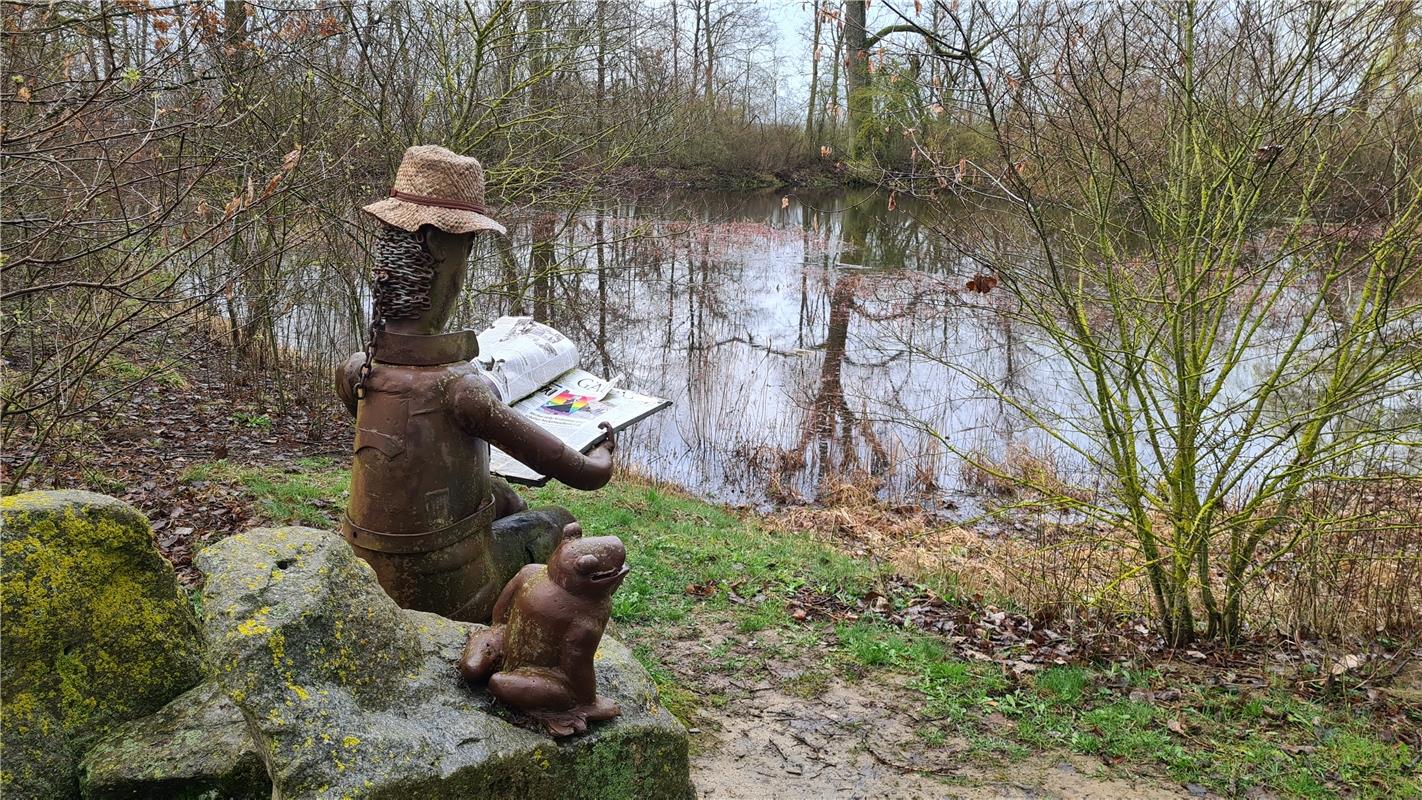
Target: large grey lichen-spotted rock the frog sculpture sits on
352, 697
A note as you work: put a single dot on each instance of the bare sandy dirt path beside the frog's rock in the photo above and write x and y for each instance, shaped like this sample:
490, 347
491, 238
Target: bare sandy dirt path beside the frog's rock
754, 740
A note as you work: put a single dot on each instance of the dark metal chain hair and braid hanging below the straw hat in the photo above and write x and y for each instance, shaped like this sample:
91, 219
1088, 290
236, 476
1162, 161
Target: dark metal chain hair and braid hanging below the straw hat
405, 271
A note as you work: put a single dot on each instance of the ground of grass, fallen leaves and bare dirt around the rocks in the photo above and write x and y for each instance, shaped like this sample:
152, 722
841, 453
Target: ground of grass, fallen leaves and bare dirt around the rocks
806, 669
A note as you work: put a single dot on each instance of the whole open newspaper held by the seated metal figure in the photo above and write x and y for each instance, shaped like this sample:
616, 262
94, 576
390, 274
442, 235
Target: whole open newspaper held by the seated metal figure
572, 404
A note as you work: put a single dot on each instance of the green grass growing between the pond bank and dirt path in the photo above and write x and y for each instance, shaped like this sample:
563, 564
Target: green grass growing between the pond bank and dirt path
697, 568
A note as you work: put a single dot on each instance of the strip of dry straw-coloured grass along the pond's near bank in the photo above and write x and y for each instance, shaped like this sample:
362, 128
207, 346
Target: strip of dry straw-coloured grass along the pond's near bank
1354, 568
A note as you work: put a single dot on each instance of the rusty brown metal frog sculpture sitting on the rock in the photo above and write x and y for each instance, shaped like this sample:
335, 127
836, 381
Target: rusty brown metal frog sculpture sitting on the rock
538, 656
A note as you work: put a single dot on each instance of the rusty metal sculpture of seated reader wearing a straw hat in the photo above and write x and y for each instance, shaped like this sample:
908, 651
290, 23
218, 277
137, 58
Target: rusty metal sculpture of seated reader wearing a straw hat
440, 531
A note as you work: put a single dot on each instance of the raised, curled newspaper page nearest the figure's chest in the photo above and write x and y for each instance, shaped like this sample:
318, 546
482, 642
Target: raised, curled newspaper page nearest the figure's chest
523, 356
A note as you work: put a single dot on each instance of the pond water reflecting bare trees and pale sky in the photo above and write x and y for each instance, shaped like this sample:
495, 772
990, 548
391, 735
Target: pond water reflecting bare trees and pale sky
810, 342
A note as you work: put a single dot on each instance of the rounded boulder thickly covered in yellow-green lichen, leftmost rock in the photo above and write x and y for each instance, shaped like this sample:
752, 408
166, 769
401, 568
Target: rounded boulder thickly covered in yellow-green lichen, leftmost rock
96, 633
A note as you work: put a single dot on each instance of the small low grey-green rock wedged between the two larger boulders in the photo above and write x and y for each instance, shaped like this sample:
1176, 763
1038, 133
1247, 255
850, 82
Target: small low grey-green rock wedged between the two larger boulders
197, 747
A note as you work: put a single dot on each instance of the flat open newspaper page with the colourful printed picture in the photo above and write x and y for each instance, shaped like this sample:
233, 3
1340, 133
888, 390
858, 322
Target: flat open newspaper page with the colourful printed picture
574, 407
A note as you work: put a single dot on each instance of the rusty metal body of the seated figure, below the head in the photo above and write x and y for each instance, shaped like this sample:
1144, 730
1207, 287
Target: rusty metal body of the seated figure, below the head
442, 534
